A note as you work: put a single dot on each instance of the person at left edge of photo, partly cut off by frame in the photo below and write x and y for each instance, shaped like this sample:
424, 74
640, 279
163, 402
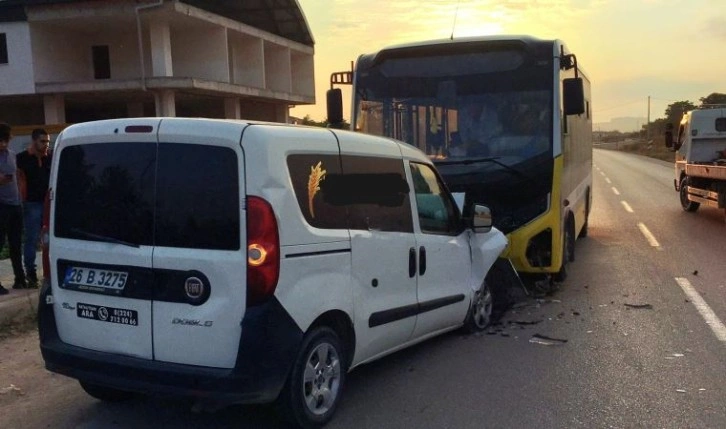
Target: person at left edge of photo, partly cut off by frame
11, 214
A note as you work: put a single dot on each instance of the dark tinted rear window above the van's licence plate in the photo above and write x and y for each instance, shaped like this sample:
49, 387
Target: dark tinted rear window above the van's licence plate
106, 190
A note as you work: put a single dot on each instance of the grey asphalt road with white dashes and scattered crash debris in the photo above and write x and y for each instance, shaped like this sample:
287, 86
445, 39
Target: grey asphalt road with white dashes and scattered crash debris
662, 366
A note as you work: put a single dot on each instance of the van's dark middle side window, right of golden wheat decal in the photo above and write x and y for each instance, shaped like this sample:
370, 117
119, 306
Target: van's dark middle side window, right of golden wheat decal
376, 193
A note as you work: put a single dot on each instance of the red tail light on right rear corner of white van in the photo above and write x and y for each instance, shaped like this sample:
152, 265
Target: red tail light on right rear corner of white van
263, 251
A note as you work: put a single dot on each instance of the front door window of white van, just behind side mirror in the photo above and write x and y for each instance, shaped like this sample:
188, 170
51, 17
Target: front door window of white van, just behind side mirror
437, 213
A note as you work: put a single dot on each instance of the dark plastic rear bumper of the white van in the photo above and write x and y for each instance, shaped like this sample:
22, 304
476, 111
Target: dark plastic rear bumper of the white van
269, 344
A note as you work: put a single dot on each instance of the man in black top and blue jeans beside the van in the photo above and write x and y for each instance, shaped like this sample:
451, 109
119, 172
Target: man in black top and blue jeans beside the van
33, 174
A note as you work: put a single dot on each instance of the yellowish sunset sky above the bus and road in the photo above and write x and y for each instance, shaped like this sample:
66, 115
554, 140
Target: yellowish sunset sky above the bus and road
670, 50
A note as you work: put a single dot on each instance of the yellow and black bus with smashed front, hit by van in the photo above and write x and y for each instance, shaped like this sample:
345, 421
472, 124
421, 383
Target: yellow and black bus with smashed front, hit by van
507, 121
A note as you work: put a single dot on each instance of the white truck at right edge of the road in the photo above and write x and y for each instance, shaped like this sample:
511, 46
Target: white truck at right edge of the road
700, 168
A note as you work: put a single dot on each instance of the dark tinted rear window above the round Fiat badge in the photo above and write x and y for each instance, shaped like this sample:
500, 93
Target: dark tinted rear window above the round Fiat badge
197, 197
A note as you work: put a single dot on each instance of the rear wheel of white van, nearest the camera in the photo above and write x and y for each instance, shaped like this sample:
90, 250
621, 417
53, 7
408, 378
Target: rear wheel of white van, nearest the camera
313, 389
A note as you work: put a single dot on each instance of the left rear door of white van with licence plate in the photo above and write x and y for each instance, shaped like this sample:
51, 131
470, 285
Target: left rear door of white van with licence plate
101, 236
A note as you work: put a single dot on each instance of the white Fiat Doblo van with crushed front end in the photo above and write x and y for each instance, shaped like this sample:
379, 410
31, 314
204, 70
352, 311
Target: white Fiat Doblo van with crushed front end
249, 262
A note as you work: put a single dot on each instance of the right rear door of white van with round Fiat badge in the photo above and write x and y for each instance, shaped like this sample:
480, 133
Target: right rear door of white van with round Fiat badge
199, 258
